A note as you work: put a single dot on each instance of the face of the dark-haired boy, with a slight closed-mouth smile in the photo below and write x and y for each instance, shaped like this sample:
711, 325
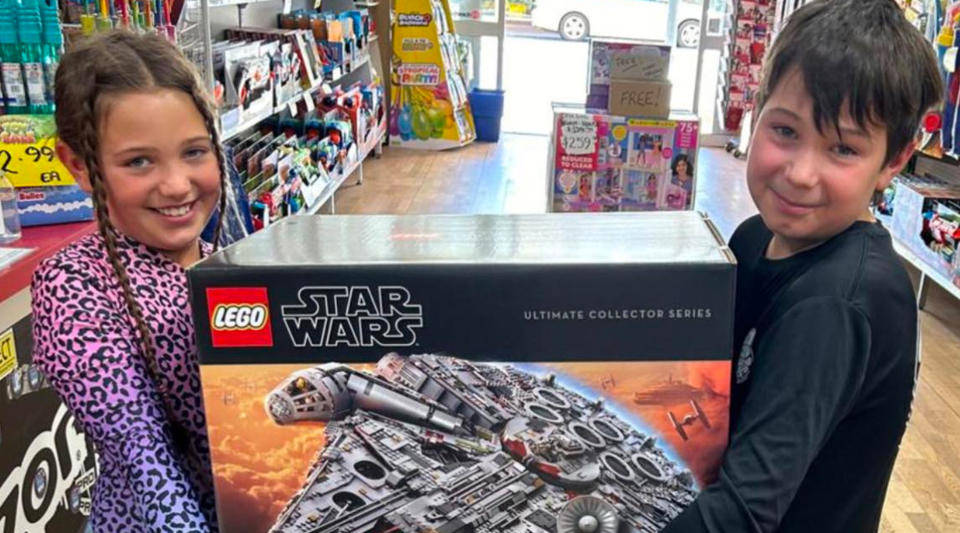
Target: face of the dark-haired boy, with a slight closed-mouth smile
807, 185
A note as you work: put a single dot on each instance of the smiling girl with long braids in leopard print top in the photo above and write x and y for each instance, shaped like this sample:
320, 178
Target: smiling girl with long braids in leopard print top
112, 323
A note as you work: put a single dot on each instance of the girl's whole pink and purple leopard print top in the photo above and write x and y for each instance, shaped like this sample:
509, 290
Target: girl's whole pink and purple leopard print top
87, 344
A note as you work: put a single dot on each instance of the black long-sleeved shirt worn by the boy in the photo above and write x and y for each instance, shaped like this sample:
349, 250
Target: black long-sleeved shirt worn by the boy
822, 387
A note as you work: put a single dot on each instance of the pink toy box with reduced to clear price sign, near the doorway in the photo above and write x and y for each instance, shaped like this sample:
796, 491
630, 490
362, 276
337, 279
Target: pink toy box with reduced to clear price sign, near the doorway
602, 162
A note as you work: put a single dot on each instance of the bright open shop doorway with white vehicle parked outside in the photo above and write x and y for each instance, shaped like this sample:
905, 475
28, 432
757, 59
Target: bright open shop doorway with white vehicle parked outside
546, 51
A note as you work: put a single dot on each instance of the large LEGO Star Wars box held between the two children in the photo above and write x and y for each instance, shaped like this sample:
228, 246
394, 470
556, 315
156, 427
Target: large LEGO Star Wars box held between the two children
538, 373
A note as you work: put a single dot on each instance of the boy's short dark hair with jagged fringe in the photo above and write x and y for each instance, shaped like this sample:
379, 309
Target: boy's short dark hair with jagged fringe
863, 53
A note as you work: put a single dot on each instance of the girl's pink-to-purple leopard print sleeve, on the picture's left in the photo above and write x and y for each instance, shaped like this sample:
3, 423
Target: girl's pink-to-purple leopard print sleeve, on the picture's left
87, 347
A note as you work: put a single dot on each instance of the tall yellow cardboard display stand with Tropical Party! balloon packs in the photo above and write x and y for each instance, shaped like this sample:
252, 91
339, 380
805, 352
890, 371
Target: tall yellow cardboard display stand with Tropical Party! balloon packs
430, 108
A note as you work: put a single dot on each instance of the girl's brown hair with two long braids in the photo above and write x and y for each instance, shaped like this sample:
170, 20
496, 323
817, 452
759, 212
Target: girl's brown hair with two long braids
104, 67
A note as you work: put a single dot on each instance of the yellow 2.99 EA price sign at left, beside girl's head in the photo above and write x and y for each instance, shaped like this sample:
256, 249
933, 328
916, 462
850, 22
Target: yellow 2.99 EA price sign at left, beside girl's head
27, 154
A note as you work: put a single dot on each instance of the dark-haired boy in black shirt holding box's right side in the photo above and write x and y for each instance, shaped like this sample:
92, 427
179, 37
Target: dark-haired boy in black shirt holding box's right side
826, 318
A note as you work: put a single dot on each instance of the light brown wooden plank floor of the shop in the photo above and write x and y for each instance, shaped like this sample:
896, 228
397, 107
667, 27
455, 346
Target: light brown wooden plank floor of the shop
510, 177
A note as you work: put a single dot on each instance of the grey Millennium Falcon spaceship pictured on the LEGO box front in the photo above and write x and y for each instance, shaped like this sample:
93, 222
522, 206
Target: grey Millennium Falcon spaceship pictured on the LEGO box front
437, 444
